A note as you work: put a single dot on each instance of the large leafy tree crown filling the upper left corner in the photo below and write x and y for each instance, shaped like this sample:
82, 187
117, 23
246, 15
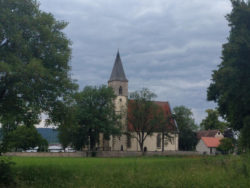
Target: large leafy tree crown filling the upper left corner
34, 69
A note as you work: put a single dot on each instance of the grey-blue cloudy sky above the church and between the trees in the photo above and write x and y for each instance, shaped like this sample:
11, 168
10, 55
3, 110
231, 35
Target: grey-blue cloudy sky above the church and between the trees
168, 46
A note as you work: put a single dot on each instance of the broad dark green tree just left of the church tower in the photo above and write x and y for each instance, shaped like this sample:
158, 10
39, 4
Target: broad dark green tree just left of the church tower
92, 114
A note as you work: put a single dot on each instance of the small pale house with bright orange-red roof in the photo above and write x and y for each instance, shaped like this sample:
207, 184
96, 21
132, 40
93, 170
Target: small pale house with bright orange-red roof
208, 145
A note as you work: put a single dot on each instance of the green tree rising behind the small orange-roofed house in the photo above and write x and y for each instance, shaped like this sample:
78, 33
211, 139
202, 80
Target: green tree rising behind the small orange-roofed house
212, 121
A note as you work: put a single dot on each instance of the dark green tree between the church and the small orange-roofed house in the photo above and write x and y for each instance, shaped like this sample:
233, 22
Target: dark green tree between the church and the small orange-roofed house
187, 128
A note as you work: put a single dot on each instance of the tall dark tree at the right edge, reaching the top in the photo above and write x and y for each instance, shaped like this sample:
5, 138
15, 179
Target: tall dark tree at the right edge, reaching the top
230, 86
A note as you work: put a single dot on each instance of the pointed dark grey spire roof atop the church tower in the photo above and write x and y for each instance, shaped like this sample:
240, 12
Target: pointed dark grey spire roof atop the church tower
118, 72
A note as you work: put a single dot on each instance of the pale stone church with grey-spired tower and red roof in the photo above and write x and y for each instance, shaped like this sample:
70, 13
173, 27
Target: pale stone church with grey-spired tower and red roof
119, 83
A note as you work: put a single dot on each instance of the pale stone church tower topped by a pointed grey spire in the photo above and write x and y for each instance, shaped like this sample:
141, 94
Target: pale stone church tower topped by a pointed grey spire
119, 83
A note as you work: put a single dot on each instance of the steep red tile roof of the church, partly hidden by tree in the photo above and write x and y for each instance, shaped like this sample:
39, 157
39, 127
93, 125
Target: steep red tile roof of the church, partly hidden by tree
166, 110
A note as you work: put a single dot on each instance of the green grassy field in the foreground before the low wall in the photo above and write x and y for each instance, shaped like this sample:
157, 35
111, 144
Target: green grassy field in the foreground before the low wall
219, 171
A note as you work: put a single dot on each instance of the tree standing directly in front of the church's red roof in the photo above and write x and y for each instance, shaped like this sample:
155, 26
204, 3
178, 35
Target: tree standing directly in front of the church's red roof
144, 116
